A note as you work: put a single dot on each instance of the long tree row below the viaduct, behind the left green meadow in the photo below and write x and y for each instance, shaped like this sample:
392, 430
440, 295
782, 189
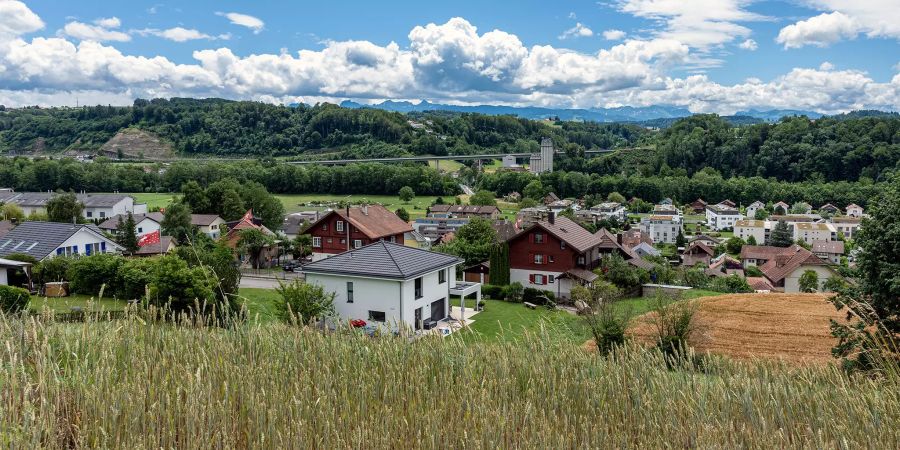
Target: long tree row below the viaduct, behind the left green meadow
43, 175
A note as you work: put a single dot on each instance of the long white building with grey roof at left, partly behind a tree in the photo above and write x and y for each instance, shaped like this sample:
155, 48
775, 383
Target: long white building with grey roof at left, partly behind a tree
96, 206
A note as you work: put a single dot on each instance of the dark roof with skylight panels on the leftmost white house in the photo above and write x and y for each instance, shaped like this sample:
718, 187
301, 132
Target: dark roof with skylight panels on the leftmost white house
40, 239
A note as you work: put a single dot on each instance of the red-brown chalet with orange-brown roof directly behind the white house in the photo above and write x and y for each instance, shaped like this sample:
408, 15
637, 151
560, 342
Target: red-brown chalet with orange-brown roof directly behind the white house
345, 229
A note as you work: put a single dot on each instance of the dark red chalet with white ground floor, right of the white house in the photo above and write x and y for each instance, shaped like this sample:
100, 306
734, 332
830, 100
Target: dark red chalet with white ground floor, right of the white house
554, 255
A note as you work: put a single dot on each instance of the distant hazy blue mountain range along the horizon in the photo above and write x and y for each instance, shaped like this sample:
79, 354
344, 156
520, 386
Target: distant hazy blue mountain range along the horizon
652, 115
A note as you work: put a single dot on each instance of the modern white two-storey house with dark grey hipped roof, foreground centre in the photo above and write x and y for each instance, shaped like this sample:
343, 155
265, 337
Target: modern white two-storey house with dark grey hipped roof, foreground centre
391, 285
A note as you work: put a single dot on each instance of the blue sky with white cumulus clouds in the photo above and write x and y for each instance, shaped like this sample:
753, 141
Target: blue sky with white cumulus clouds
719, 56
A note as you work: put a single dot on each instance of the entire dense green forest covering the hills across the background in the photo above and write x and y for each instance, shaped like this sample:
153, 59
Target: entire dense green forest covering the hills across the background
860, 145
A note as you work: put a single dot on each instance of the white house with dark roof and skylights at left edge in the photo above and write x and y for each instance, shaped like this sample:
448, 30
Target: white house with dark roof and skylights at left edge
44, 240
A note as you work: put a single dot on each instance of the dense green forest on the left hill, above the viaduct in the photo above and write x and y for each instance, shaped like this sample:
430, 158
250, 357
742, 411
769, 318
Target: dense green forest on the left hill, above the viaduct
222, 127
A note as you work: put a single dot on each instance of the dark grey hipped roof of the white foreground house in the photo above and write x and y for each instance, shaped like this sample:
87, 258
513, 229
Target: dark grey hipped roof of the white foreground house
383, 260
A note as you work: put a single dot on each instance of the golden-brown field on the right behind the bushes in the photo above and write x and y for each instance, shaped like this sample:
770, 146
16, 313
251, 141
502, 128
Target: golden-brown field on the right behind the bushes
789, 327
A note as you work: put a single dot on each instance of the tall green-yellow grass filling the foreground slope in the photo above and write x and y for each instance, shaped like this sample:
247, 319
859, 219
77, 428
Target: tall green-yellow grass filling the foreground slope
137, 383
